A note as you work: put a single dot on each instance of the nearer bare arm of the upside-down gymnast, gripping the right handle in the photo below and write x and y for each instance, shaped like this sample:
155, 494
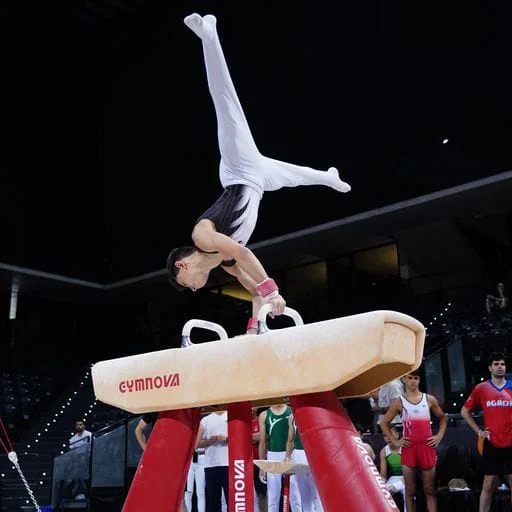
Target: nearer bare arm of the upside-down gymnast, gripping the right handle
251, 273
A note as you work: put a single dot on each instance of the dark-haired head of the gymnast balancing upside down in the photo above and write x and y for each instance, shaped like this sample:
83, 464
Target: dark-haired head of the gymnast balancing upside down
184, 269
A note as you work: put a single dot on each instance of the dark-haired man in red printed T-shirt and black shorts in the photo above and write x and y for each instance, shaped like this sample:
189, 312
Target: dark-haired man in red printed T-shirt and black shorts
494, 397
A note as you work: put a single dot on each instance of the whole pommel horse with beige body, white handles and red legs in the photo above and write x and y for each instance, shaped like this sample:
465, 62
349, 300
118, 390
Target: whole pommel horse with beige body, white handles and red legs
309, 366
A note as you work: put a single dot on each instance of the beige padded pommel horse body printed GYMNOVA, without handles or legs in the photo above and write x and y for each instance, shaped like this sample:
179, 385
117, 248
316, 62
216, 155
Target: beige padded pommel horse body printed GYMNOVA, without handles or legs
352, 355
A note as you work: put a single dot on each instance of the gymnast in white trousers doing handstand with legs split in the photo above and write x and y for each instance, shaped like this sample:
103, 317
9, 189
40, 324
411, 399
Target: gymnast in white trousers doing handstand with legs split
222, 232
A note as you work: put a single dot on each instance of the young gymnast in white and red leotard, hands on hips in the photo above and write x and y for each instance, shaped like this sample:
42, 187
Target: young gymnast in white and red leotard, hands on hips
418, 443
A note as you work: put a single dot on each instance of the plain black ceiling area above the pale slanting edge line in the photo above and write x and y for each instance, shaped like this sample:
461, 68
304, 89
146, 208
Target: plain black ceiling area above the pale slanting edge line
109, 137
